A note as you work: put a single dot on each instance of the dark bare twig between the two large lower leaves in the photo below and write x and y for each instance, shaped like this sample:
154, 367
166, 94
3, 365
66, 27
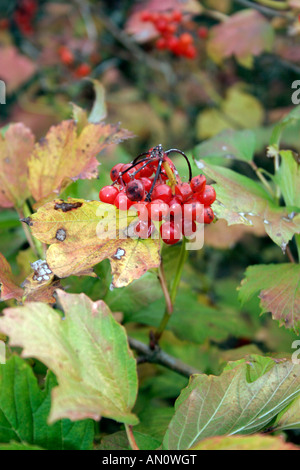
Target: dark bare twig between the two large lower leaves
160, 357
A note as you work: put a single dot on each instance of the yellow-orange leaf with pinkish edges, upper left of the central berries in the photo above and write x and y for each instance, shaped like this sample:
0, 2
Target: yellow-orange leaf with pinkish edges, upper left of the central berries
64, 156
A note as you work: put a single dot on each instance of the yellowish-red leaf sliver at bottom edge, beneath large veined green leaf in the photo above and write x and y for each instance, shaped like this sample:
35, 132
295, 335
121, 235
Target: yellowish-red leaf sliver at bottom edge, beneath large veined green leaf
256, 442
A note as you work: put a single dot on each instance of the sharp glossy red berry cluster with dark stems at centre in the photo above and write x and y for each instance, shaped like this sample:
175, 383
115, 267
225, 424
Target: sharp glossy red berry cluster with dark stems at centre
151, 185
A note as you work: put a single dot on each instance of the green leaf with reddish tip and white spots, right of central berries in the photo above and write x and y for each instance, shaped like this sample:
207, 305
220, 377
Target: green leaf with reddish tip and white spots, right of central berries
239, 198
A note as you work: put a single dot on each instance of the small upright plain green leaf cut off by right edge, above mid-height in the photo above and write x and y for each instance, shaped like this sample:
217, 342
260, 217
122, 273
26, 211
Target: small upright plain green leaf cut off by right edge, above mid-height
289, 179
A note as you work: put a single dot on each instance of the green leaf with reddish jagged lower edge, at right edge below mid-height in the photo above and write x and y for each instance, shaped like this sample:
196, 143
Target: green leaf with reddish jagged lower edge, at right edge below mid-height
279, 290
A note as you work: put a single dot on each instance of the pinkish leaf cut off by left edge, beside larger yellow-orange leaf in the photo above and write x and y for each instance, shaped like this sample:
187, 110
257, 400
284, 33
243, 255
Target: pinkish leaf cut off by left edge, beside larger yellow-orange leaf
15, 149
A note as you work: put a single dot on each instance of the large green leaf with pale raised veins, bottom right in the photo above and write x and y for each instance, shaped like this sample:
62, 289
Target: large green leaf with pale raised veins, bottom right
242, 400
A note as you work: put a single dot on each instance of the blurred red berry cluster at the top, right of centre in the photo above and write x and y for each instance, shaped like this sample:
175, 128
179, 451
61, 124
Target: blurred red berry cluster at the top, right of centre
167, 25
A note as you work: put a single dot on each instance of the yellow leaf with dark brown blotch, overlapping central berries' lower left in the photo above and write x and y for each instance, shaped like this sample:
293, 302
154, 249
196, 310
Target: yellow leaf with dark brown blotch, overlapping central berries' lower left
82, 234
